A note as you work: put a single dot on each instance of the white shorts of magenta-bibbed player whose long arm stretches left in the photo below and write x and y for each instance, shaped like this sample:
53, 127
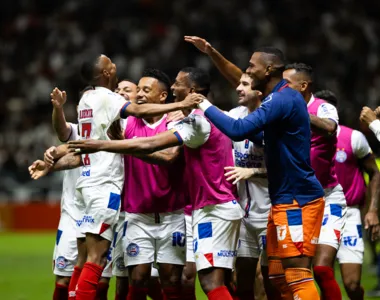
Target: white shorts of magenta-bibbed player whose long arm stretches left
215, 242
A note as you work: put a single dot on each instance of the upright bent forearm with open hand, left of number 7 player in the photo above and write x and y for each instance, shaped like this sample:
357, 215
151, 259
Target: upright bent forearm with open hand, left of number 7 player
61, 127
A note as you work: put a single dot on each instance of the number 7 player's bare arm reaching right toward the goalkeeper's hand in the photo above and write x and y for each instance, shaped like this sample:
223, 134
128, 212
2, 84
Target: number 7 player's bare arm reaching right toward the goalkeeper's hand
152, 110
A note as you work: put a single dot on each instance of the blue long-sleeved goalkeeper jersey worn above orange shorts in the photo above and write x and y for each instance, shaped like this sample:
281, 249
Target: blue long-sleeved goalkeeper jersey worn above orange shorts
285, 121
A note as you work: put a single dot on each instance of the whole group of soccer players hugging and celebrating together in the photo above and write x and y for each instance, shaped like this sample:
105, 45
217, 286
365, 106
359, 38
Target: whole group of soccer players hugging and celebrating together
195, 190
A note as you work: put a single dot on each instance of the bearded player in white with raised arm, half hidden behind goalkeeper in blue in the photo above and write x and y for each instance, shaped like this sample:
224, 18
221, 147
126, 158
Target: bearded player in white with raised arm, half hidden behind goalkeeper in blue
252, 190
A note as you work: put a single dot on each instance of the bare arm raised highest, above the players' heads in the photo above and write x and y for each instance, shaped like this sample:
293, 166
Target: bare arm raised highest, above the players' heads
229, 70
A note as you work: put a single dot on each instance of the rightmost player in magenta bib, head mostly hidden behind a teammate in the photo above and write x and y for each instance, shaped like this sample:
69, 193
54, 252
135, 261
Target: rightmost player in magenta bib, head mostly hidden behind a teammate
353, 156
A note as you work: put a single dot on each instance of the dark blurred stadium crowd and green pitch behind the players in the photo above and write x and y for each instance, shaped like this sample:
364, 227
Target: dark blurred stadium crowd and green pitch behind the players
42, 44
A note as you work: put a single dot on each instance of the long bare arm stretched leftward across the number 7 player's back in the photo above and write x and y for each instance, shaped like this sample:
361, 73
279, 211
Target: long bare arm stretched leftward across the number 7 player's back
147, 145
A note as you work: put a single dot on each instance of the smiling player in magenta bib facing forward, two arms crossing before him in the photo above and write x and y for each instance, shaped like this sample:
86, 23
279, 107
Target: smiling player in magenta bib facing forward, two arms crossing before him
153, 200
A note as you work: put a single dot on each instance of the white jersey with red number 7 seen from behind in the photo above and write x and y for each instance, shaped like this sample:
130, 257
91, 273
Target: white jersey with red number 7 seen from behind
97, 110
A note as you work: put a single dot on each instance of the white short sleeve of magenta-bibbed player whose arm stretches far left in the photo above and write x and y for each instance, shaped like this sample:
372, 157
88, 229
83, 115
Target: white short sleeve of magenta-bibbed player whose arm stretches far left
194, 130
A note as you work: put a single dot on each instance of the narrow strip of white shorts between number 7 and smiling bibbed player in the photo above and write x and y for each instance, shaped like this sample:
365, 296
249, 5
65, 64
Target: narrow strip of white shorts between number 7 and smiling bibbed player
118, 267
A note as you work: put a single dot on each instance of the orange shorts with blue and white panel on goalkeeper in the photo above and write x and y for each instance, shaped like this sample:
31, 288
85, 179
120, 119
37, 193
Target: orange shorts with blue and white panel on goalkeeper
294, 230
